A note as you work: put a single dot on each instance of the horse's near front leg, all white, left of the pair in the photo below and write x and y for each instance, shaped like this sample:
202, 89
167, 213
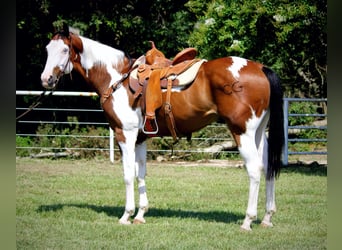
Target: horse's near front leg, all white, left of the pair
128, 160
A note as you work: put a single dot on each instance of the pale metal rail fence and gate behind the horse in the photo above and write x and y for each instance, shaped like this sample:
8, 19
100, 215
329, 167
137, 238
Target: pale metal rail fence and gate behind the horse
110, 138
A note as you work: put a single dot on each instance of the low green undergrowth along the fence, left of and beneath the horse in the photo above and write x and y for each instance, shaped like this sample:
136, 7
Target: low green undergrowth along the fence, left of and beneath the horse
88, 142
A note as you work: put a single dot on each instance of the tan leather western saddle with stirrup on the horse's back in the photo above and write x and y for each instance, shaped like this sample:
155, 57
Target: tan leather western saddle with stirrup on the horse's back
154, 73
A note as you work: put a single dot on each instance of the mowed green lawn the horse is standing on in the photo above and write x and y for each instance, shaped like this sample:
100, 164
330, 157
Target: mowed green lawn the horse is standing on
76, 204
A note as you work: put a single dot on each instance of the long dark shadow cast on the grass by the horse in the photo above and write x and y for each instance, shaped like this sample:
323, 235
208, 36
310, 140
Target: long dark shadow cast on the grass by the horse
217, 216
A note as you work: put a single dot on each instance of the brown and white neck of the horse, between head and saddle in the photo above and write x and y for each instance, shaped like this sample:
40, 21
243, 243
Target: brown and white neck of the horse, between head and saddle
99, 64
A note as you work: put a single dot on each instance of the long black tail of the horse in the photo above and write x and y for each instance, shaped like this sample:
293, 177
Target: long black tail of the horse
276, 125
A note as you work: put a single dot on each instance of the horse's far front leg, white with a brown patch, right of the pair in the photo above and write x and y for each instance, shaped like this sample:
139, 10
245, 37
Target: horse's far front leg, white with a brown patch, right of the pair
140, 158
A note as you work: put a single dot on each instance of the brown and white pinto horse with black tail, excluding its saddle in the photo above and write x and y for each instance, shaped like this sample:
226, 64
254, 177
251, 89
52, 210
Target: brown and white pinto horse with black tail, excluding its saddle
245, 94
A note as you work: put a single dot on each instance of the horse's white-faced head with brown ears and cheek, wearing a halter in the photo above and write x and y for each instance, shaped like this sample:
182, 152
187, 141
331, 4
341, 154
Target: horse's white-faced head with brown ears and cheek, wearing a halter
58, 58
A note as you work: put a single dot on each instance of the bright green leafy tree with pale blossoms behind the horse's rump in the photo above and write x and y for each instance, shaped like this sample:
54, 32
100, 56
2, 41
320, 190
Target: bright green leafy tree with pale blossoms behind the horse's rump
288, 36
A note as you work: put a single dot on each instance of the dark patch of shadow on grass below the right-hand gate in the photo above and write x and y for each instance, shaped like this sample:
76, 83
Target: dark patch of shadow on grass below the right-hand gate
313, 168
